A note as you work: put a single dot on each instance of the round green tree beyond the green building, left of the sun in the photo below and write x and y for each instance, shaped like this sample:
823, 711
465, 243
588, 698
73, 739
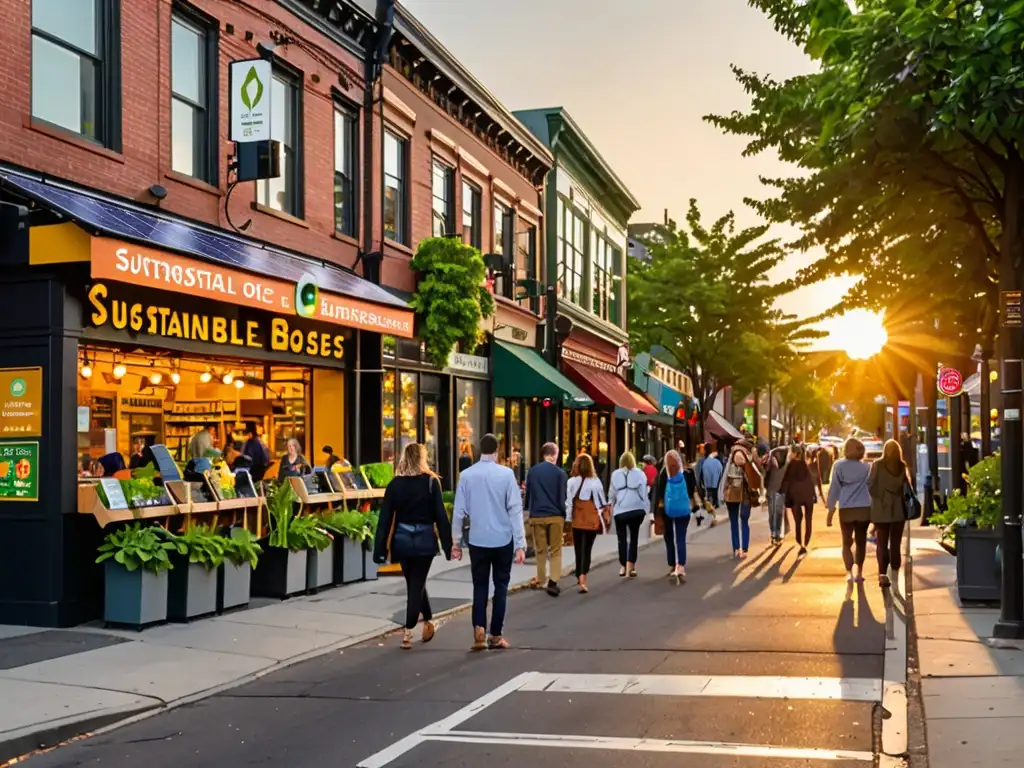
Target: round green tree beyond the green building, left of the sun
706, 302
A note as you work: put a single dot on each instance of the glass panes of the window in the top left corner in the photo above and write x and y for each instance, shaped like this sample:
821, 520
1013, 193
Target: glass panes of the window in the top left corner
71, 67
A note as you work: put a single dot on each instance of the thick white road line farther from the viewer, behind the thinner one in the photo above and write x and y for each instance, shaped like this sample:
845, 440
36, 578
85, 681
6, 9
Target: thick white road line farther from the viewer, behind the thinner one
846, 690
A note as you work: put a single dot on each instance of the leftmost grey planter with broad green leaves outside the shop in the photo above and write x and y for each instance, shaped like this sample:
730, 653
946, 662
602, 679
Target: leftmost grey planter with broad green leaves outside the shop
137, 561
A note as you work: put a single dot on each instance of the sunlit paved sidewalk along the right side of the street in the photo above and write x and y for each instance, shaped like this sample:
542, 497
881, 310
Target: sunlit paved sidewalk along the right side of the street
972, 686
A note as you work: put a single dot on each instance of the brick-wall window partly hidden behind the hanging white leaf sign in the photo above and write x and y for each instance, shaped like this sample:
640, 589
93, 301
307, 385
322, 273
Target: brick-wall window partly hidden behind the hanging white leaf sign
285, 193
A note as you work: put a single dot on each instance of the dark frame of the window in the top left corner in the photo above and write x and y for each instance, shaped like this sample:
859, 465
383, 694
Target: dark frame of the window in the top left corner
108, 62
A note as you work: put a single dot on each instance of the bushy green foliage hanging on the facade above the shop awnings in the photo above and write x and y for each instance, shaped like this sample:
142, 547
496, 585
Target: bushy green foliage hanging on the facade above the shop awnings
451, 297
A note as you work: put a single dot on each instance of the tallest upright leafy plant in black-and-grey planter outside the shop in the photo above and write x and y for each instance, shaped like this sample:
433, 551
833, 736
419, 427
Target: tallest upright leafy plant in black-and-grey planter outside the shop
283, 569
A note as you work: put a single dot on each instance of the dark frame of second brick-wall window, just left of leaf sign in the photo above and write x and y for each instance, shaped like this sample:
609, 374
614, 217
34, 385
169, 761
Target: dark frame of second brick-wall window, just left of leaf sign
209, 137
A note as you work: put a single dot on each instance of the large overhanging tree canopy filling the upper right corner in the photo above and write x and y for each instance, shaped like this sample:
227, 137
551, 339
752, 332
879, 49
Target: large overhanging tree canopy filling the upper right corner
909, 143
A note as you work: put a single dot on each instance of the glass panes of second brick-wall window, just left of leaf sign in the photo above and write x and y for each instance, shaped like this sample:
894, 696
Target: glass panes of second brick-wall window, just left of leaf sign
194, 87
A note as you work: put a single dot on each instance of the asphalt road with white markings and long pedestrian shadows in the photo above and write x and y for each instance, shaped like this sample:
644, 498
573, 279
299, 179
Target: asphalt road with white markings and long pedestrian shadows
731, 651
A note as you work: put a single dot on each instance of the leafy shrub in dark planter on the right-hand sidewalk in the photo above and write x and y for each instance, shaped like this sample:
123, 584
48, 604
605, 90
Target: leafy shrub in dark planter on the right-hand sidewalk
970, 524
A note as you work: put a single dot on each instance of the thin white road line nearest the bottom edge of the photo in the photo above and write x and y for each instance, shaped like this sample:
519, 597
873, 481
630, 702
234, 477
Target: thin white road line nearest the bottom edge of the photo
646, 745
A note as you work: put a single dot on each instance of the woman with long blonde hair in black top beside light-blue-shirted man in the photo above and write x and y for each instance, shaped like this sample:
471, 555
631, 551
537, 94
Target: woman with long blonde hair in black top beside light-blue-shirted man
412, 523
